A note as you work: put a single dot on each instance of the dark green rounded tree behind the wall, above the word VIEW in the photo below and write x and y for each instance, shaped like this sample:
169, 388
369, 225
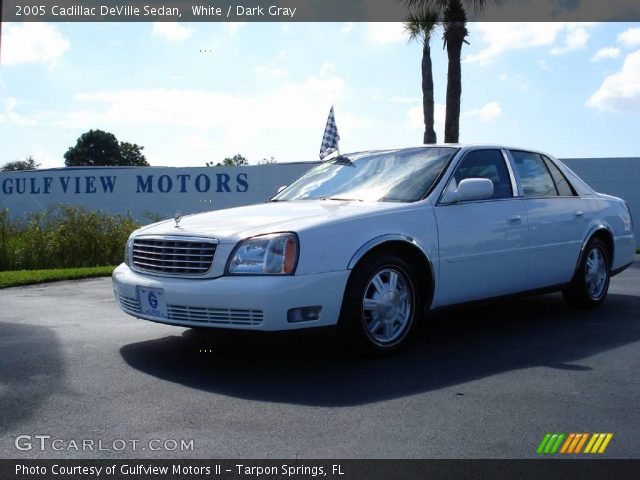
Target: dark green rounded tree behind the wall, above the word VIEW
100, 148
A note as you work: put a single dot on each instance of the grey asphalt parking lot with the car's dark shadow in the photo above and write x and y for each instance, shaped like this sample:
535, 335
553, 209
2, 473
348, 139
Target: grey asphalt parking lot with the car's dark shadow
475, 382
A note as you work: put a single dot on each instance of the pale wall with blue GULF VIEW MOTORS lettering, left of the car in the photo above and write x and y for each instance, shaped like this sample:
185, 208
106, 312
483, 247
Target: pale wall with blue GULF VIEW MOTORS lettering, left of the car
156, 190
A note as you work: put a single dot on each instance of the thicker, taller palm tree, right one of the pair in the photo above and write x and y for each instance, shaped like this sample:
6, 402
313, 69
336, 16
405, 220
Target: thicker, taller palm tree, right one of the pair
454, 21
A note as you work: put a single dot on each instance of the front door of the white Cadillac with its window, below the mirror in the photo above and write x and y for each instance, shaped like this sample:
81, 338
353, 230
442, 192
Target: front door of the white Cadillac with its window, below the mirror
483, 243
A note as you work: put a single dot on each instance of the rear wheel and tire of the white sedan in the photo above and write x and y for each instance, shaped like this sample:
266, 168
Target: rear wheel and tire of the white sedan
590, 283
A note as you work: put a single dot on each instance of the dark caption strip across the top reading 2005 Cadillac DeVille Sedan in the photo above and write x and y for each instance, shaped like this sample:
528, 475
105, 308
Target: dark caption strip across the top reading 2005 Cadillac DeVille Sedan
308, 10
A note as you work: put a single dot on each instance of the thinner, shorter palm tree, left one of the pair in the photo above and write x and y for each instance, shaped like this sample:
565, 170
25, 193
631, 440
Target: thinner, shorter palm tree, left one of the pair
420, 25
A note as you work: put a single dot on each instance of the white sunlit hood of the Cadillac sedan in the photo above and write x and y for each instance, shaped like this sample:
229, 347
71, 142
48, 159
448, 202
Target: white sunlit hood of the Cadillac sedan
234, 224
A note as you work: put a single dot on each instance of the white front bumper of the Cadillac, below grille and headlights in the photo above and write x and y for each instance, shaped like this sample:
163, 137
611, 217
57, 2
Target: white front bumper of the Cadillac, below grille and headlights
235, 302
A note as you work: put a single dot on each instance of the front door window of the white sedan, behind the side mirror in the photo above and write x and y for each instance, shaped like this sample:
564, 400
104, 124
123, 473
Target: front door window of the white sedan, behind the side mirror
486, 164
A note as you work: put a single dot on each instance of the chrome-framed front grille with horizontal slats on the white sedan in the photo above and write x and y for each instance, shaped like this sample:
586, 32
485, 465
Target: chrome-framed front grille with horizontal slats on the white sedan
173, 255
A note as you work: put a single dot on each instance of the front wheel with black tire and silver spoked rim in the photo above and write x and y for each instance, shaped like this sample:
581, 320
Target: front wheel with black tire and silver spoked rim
381, 303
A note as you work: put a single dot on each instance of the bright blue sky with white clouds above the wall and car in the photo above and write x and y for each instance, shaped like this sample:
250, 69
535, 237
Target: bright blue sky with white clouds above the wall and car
200, 92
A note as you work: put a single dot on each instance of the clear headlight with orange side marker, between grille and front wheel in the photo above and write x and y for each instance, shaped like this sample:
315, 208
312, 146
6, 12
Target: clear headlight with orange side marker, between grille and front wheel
273, 254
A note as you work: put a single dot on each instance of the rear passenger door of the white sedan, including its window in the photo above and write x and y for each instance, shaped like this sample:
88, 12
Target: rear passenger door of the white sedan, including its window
557, 219
